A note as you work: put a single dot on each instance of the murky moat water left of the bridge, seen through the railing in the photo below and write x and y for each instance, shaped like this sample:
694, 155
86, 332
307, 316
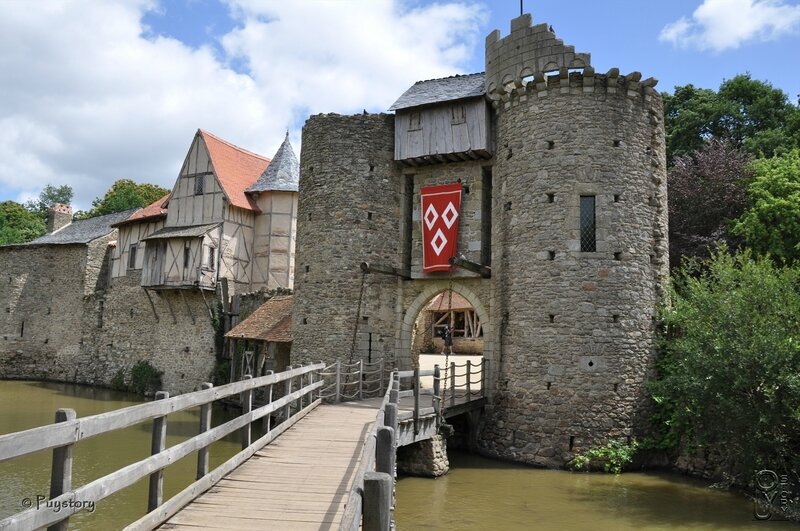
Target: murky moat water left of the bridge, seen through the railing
25, 405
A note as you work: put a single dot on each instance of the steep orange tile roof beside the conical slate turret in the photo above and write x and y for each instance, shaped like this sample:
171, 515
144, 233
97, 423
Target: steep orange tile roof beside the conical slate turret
236, 168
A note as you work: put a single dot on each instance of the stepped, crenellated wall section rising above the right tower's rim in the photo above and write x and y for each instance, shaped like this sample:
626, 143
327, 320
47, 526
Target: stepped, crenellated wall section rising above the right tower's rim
528, 51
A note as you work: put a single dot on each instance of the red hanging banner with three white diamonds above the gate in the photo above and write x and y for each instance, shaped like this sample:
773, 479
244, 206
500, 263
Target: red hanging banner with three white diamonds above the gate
441, 207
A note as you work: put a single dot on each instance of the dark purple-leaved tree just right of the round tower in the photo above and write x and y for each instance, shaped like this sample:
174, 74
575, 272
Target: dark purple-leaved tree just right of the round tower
706, 191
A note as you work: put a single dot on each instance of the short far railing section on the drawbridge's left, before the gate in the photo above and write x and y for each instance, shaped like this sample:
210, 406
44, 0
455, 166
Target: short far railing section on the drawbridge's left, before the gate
353, 381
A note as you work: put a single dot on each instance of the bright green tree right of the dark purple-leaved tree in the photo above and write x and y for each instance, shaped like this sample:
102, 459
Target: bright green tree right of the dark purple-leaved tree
772, 222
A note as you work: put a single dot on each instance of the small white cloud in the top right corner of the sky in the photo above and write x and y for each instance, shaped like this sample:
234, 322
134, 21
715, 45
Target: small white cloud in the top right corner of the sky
718, 25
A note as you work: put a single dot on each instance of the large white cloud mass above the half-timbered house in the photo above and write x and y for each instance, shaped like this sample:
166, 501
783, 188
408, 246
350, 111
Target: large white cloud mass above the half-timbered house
87, 99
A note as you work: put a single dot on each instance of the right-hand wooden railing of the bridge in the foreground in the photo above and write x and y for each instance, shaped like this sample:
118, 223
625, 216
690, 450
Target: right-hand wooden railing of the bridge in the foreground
370, 501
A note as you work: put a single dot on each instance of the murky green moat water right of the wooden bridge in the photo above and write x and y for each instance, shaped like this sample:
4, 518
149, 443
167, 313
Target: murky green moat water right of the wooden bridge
482, 494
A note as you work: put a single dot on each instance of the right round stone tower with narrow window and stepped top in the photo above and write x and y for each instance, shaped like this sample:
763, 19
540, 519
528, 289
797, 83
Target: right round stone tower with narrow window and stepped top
579, 246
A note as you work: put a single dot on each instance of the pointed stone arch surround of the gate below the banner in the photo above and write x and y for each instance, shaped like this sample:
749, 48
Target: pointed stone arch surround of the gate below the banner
403, 344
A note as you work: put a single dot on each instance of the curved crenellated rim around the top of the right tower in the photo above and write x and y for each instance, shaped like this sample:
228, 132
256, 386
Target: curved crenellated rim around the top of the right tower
566, 82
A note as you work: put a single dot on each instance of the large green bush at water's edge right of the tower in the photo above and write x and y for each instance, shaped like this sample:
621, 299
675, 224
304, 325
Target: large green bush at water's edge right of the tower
728, 372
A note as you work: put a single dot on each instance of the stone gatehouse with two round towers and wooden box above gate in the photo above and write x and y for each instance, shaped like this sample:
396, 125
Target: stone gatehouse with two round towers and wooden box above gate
563, 172
